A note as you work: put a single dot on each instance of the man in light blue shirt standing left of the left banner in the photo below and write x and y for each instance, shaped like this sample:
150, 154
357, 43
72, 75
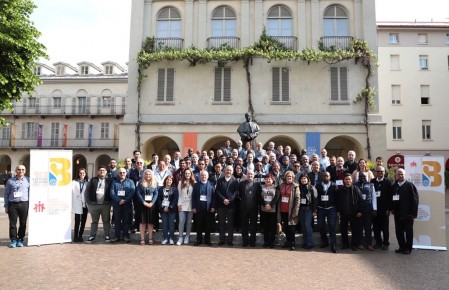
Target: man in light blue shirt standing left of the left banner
16, 205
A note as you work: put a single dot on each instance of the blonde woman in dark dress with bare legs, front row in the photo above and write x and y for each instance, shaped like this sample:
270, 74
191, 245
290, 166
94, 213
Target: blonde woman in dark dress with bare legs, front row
146, 192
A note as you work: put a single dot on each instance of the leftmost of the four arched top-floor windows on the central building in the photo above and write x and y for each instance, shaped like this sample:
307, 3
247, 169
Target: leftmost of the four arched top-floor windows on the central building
169, 23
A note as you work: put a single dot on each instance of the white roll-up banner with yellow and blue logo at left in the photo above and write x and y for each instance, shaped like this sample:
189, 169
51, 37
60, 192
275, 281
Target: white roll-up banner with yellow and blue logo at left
50, 214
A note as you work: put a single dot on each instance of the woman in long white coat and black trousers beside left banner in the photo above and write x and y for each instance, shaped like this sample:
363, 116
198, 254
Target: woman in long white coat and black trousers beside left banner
79, 207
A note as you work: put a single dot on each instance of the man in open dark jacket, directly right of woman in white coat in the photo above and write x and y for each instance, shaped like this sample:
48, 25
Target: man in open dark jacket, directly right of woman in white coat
98, 200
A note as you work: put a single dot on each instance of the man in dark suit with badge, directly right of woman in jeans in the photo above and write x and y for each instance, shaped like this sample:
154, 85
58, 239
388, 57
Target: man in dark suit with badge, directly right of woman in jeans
326, 209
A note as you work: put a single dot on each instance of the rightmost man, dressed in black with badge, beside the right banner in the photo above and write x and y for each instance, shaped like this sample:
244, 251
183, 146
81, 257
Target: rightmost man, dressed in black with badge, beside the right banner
405, 210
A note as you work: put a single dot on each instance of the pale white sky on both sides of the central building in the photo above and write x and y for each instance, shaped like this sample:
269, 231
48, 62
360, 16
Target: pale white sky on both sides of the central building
98, 30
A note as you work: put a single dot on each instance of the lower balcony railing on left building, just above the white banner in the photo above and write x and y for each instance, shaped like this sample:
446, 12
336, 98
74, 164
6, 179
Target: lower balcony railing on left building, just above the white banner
58, 143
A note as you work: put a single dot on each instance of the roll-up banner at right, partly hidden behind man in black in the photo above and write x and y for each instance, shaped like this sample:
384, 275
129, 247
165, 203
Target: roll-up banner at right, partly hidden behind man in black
427, 173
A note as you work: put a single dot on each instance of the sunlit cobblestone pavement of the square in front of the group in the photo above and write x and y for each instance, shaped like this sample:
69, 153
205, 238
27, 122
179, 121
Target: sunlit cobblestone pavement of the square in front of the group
131, 266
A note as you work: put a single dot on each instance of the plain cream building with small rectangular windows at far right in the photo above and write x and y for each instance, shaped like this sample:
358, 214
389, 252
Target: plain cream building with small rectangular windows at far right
414, 85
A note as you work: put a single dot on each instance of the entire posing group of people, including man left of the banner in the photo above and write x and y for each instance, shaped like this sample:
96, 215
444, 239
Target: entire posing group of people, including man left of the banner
238, 186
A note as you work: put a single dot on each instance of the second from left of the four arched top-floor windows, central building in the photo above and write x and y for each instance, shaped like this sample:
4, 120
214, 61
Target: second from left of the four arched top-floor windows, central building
224, 22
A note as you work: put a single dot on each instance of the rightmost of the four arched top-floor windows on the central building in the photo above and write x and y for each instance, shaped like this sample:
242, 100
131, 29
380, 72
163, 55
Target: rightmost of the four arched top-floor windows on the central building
335, 21
